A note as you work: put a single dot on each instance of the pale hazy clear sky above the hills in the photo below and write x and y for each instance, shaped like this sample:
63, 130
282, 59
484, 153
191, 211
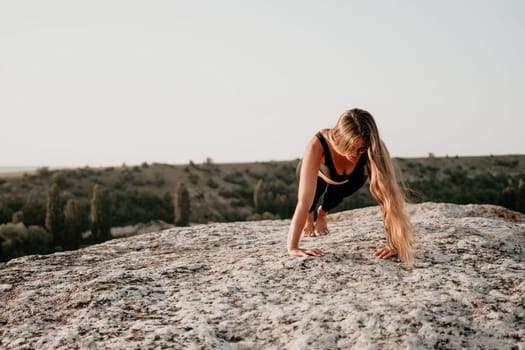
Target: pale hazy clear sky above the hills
102, 83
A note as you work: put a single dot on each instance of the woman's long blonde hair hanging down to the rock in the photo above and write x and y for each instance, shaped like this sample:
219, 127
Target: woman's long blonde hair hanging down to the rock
357, 123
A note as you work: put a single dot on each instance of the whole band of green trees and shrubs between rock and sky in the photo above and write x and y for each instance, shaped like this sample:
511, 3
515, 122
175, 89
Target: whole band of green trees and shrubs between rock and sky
50, 210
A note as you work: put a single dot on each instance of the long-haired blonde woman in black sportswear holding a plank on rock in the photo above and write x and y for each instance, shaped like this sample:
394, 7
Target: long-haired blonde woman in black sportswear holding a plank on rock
336, 163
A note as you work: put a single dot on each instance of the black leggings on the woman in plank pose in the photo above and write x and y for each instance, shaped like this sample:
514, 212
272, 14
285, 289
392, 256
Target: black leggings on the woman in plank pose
334, 194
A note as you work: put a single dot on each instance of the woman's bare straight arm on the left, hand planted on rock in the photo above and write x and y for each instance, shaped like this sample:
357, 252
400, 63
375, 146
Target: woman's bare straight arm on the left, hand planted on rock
307, 185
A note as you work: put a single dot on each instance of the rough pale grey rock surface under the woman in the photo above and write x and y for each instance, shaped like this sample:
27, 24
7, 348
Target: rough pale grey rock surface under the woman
232, 286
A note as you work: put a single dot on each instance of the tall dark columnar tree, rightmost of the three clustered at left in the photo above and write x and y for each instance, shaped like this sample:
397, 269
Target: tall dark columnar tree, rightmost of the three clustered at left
99, 215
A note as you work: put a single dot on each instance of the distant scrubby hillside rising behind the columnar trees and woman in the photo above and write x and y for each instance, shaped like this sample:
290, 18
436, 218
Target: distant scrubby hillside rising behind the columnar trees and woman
225, 192
